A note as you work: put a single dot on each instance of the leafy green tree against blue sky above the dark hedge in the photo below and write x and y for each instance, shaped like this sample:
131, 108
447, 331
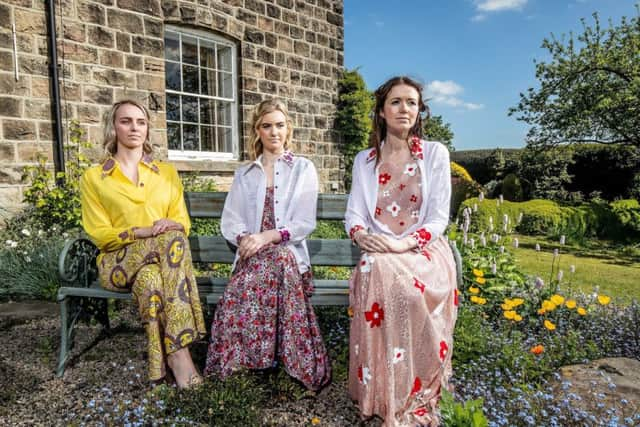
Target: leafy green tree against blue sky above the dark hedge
589, 90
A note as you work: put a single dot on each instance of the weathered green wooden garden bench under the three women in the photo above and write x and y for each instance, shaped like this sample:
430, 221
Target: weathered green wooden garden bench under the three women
82, 297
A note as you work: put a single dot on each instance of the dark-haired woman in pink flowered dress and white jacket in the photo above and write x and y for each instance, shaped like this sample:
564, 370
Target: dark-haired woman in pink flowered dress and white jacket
403, 294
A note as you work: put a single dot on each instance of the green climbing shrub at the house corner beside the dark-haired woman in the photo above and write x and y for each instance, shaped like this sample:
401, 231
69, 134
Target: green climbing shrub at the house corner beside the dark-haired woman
353, 118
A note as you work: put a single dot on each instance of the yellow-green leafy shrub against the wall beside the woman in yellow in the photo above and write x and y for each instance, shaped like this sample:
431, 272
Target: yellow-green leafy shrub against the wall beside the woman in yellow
58, 204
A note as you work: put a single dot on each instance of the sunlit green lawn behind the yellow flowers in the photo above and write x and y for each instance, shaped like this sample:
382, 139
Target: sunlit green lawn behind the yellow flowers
614, 269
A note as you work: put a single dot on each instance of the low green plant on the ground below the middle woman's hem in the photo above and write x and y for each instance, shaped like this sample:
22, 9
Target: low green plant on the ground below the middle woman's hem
233, 402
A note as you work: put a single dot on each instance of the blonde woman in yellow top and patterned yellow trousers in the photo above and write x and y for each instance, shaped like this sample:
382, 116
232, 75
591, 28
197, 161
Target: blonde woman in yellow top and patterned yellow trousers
133, 209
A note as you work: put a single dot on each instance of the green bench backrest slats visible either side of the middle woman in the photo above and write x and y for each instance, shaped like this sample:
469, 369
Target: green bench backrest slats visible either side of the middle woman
332, 252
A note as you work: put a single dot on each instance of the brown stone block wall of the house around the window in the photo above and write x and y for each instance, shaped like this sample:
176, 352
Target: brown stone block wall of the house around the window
111, 49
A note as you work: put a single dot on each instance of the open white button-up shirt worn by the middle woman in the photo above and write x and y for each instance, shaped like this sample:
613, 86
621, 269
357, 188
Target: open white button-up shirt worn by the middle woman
295, 193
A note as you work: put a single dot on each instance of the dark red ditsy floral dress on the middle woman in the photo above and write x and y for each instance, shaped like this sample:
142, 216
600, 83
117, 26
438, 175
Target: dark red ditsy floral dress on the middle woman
265, 315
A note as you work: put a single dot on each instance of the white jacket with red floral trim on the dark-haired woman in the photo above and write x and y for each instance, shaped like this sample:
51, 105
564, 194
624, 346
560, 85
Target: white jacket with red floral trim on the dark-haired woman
435, 170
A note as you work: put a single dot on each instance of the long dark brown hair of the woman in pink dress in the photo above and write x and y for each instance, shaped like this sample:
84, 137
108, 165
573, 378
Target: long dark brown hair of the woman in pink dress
380, 126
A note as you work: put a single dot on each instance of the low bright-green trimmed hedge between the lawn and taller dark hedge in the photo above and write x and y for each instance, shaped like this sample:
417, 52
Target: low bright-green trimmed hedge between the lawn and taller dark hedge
619, 220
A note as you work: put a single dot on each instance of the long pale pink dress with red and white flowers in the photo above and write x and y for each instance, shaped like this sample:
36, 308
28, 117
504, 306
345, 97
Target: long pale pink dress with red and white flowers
404, 311
